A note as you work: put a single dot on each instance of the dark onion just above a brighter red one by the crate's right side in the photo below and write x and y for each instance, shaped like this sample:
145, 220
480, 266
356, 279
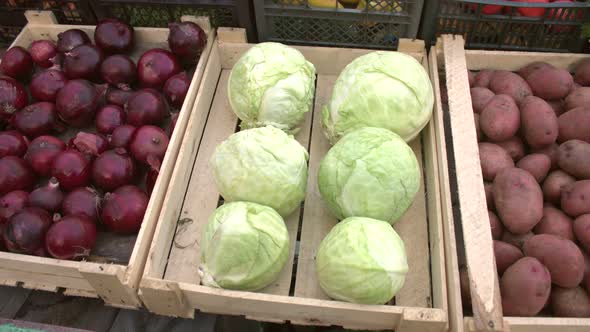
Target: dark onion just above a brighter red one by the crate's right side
145, 107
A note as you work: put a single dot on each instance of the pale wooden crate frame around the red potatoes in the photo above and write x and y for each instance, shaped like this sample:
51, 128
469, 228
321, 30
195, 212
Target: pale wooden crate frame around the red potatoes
477, 240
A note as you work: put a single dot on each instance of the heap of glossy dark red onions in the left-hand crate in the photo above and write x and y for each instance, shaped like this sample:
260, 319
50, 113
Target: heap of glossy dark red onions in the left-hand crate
85, 130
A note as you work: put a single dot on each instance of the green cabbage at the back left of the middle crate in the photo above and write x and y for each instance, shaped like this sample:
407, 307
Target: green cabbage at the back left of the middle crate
271, 84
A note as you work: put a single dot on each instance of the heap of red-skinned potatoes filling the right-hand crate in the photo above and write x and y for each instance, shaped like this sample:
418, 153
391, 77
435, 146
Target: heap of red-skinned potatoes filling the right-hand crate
534, 147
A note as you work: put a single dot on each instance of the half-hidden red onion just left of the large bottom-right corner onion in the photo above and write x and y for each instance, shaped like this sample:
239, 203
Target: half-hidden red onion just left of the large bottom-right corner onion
82, 201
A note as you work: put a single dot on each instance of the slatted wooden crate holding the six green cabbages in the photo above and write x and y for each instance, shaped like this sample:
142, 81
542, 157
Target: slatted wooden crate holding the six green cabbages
171, 285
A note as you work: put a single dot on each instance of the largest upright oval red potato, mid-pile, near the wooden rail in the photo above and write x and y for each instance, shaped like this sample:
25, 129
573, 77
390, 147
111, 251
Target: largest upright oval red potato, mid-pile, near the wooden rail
514, 189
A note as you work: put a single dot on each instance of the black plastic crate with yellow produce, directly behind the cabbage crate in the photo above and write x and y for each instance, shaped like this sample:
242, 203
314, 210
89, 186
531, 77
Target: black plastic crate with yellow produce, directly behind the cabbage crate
344, 23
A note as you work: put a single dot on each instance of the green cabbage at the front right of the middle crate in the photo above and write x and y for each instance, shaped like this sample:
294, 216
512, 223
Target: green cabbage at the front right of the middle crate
362, 260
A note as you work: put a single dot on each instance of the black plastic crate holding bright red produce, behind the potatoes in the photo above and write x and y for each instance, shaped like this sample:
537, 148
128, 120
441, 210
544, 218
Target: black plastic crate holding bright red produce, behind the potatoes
519, 26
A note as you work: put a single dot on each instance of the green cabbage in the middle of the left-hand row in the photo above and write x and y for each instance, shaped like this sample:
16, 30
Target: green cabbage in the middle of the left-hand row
261, 165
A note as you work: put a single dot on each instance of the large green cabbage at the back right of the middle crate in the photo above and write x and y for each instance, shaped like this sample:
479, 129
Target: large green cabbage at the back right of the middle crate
380, 89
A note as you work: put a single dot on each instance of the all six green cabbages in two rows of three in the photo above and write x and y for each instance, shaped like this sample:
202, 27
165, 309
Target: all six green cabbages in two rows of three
368, 179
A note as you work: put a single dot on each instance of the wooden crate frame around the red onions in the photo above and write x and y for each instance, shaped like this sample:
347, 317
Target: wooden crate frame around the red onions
116, 284
